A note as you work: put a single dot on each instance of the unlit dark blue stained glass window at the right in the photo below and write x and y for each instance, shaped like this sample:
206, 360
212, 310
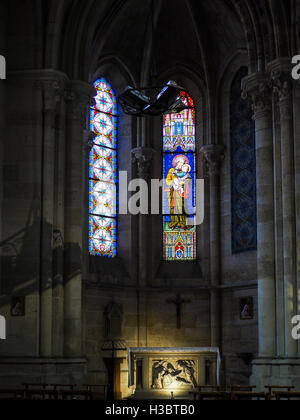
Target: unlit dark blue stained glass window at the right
243, 170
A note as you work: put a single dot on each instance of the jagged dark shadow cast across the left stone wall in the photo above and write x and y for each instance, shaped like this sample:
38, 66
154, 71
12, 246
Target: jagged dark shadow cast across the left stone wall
36, 258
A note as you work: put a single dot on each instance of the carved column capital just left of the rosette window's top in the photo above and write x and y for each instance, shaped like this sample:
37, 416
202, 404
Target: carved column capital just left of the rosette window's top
79, 96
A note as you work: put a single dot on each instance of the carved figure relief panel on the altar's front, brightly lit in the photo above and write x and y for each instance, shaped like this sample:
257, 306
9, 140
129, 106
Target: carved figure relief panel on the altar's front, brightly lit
173, 373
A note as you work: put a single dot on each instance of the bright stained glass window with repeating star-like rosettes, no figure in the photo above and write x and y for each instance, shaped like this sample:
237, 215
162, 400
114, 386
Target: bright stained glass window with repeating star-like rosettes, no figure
103, 173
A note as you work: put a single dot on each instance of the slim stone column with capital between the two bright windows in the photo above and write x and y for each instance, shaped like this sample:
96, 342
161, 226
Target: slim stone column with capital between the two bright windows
143, 157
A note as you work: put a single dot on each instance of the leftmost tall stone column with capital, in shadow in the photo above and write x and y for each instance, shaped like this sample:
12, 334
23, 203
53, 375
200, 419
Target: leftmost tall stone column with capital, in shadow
52, 86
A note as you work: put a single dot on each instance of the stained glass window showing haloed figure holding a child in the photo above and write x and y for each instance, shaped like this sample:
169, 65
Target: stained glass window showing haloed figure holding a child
179, 149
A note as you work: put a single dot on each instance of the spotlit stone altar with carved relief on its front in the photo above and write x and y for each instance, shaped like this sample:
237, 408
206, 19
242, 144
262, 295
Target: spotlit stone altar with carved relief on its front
167, 372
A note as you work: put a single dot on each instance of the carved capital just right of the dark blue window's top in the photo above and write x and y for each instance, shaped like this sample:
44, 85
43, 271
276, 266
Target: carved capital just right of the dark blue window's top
257, 87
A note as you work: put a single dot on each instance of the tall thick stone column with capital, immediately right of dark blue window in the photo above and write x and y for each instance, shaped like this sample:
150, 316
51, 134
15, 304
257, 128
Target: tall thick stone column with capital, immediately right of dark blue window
257, 86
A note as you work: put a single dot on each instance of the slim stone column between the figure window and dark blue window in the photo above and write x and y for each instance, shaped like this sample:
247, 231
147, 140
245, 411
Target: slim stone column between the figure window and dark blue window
214, 155
